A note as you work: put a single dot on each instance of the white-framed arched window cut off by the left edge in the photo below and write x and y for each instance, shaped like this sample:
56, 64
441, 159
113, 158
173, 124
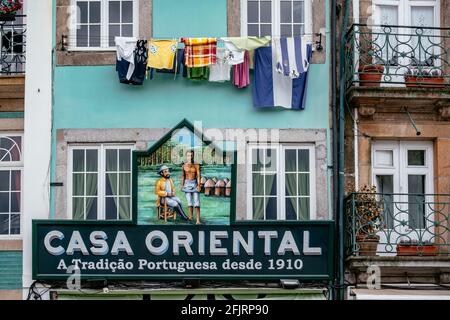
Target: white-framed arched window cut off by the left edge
10, 184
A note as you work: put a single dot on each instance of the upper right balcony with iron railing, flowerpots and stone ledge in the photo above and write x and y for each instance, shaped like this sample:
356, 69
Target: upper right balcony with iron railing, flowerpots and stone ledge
390, 67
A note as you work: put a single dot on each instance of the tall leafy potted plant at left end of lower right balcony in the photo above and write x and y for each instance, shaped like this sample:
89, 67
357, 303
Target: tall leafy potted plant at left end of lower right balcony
368, 220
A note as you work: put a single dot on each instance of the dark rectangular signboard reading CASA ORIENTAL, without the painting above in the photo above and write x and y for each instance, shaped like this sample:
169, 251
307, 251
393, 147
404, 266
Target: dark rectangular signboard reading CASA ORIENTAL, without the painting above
238, 251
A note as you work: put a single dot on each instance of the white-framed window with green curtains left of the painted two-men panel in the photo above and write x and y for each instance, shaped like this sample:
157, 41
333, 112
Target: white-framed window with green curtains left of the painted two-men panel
100, 182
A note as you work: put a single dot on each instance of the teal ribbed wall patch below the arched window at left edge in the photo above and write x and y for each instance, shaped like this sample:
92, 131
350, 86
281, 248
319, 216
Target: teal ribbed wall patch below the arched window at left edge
10, 270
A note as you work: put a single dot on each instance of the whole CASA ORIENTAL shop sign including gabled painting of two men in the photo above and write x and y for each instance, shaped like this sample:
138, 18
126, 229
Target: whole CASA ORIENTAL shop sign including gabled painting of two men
181, 224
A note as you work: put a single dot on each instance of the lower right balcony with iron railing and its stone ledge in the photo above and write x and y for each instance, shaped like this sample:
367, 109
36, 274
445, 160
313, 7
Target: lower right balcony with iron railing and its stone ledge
406, 235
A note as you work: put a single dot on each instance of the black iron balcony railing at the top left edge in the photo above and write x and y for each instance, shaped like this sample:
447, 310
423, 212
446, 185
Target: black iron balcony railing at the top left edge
13, 46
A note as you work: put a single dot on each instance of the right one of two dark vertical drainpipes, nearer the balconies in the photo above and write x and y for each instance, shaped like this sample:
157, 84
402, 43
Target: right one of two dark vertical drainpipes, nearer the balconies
341, 147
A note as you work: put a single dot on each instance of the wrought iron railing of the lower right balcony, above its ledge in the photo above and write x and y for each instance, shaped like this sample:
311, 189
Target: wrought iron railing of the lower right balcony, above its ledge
397, 224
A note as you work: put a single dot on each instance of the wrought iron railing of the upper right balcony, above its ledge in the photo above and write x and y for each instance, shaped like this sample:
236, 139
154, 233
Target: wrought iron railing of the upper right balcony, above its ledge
381, 55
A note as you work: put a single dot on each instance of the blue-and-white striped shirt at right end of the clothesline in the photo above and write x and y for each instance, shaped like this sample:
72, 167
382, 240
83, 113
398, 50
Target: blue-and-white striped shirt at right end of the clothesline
291, 56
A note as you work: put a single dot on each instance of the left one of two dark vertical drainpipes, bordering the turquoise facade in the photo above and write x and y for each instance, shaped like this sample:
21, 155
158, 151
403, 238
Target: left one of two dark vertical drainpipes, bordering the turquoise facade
333, 72
